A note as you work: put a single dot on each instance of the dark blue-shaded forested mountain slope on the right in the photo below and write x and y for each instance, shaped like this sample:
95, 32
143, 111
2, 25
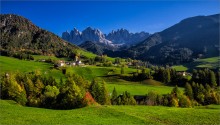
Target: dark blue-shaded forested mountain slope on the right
190, 38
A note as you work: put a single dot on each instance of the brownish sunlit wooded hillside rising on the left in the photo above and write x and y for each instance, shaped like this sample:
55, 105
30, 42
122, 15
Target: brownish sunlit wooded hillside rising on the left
20, 35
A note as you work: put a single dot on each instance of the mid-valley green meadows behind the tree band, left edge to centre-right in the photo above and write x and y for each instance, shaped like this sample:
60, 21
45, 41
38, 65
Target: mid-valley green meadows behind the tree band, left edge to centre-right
7, 64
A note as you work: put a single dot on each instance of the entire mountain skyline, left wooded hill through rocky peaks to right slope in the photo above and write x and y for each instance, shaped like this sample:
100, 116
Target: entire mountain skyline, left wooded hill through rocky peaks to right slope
174, 45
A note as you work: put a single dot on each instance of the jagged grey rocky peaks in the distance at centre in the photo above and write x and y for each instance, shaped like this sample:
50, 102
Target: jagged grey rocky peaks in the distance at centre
115, 38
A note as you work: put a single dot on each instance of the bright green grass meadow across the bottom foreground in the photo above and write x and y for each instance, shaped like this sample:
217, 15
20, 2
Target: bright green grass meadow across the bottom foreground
11, 113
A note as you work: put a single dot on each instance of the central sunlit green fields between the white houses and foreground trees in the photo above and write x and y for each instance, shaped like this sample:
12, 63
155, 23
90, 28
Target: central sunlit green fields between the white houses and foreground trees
135, 88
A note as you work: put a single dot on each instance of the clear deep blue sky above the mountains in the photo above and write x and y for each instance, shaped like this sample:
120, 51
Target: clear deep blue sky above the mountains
149, 16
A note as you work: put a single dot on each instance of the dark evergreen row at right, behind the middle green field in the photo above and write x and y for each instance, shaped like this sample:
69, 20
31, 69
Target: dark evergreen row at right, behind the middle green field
170, 76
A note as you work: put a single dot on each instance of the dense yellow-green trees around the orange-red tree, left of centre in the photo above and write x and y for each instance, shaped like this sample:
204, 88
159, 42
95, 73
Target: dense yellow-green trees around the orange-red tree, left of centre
36, 90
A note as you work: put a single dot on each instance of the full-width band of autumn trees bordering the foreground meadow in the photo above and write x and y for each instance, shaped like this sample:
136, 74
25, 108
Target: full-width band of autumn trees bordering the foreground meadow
36, 90
